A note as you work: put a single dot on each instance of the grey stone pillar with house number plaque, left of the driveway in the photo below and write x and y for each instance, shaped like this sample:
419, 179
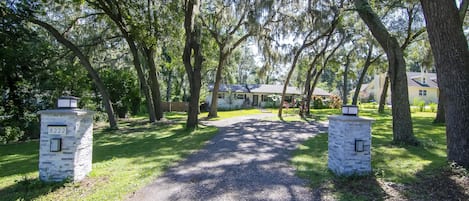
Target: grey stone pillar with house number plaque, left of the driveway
66, 141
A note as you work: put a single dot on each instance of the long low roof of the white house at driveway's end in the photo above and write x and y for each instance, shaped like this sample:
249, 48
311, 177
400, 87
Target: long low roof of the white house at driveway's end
264, 88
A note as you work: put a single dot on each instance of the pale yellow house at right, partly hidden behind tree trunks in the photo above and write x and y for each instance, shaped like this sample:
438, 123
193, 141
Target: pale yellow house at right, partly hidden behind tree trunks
421, 85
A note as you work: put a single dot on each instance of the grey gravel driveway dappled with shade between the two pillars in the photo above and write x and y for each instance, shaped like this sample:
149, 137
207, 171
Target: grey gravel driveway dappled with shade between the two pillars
247, 160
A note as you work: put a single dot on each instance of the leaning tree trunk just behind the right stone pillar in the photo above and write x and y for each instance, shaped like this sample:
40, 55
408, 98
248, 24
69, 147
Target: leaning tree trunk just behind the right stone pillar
402, 122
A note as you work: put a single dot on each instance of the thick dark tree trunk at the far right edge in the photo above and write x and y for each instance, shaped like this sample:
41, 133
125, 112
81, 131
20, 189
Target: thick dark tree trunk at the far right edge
449, 46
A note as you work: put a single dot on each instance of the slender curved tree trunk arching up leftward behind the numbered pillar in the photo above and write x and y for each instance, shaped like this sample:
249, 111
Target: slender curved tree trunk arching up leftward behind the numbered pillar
87, 64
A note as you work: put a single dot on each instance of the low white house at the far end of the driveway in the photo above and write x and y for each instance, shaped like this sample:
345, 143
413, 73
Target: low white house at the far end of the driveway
255, 95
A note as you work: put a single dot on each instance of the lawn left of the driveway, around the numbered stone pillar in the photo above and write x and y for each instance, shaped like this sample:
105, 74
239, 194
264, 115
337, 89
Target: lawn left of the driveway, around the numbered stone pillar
123, 161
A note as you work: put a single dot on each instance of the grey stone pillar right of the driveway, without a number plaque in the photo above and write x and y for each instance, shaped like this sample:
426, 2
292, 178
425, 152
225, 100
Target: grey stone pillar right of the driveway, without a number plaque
349, 145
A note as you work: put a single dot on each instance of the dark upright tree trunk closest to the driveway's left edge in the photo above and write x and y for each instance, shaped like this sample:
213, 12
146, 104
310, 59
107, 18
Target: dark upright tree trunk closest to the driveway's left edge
192, 58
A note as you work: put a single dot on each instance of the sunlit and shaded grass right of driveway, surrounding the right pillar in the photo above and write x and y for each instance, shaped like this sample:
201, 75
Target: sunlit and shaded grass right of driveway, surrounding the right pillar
399, 165
